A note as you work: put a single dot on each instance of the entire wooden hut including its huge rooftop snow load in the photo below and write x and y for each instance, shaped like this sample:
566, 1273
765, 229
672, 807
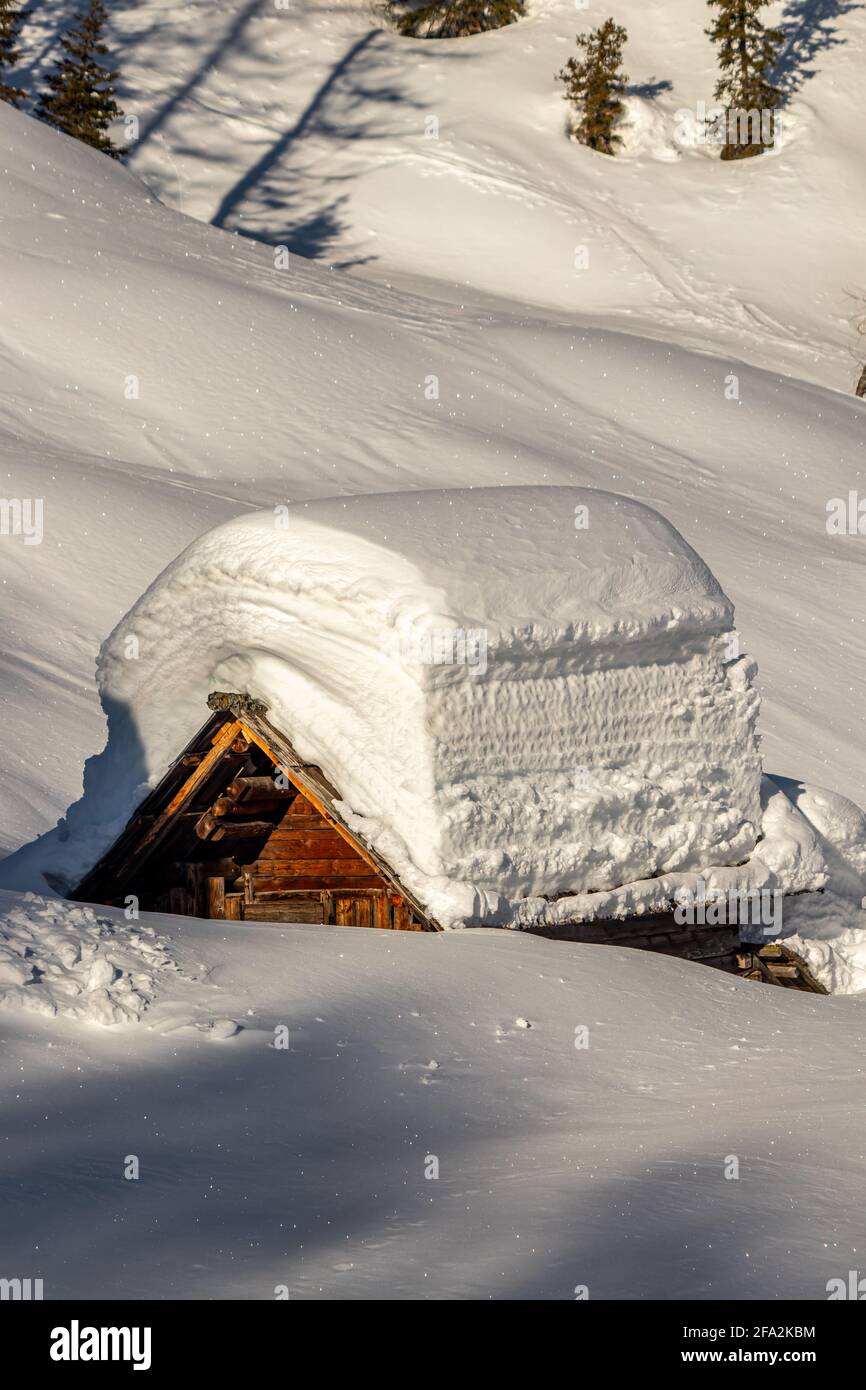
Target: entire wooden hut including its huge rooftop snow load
501, 707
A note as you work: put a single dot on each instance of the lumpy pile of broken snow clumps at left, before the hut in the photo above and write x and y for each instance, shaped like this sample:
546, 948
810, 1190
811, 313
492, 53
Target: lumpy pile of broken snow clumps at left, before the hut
63, 958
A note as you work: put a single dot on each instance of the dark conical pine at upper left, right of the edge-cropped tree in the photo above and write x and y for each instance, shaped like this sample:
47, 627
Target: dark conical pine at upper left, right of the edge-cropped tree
80, 101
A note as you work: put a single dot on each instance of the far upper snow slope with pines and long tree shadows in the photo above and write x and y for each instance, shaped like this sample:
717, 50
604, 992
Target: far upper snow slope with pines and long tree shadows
309, 126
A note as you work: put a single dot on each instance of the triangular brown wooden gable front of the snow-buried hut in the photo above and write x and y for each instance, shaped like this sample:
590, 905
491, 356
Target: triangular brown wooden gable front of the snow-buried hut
241, 829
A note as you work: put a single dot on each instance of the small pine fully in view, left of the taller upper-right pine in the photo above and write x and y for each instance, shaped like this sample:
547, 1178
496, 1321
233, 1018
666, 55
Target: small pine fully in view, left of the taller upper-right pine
597, 84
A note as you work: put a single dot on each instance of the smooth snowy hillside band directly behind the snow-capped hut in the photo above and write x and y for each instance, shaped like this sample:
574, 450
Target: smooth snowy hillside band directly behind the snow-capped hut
163, 376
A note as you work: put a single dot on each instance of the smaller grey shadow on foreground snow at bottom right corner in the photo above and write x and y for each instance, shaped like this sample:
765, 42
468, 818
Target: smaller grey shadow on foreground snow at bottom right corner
679, 1231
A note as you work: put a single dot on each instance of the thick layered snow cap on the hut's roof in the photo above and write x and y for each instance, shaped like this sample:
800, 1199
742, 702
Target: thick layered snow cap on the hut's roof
518, 692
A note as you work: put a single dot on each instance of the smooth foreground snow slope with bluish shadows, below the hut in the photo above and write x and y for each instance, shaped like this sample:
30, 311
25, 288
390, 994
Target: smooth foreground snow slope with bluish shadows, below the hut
601, 1166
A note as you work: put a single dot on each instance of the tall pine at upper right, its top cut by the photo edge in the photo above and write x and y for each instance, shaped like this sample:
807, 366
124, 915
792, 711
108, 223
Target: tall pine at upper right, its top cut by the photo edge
747, 54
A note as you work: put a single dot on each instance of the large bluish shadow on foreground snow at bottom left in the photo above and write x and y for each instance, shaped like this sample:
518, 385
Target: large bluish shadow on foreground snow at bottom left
258, 1167
